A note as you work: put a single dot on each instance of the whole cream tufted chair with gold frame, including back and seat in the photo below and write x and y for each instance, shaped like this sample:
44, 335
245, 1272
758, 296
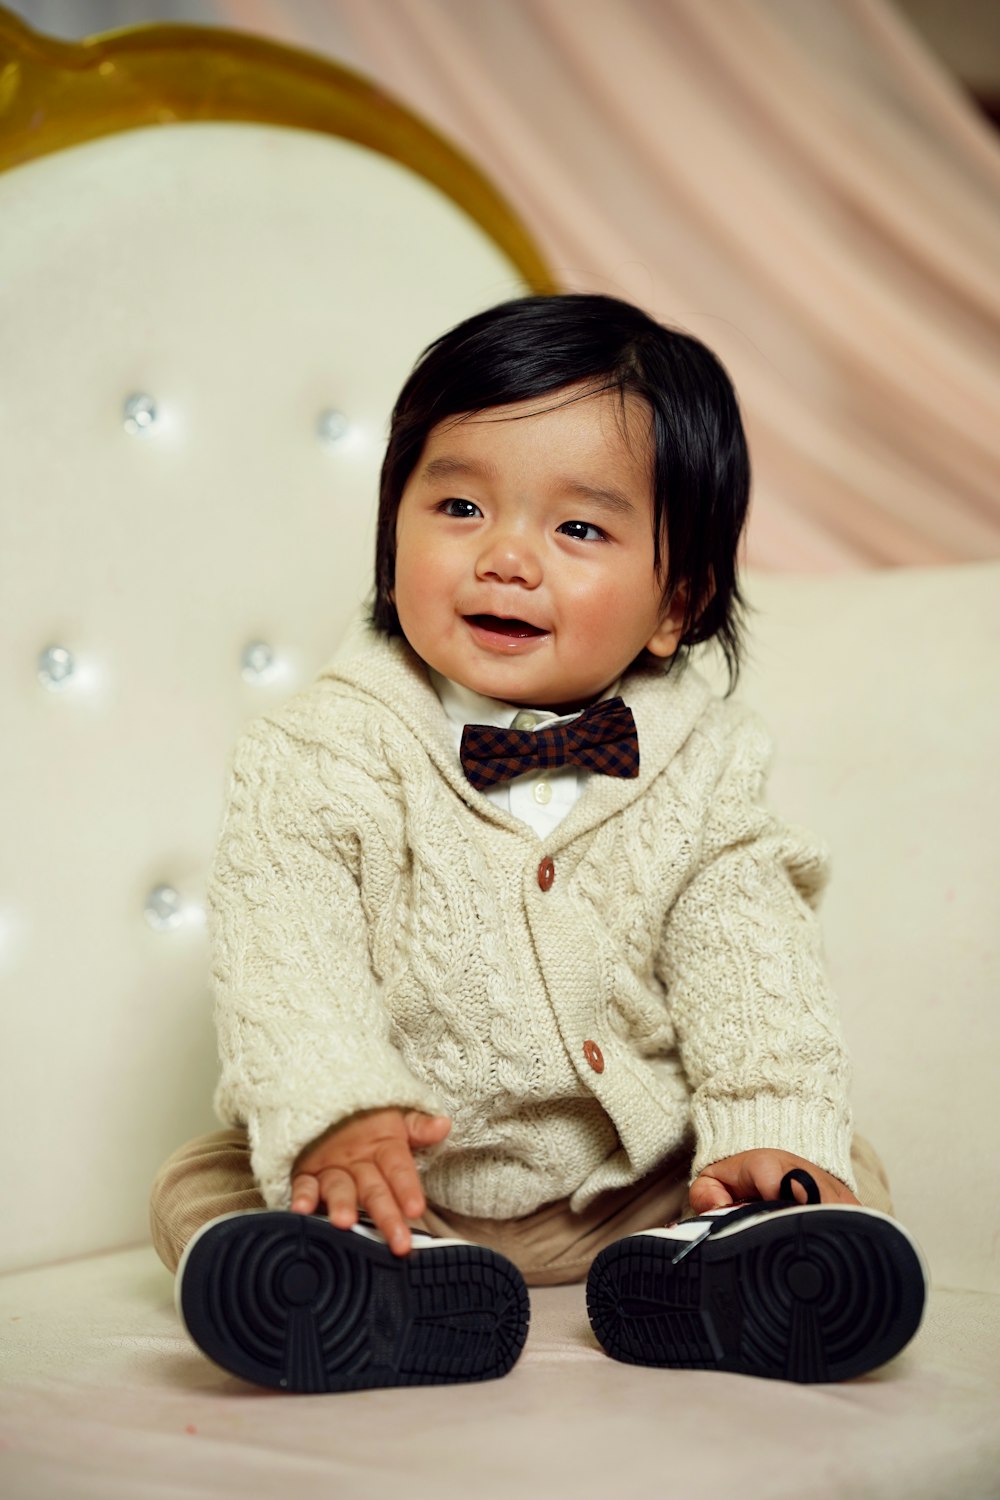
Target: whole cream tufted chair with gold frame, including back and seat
218, 262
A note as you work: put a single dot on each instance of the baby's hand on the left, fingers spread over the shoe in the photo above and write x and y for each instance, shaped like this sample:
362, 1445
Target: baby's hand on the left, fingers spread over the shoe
368, 1160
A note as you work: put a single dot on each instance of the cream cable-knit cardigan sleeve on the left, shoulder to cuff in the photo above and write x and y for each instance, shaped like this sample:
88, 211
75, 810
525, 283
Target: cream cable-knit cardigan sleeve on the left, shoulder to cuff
304, 1037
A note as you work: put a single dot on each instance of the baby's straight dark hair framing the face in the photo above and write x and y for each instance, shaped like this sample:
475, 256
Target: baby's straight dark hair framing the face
537, 346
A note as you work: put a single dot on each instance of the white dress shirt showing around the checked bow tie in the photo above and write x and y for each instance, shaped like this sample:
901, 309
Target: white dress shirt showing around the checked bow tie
540, 799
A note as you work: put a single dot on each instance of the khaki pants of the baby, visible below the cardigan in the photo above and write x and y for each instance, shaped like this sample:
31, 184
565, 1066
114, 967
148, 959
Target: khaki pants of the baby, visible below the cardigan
212, 1175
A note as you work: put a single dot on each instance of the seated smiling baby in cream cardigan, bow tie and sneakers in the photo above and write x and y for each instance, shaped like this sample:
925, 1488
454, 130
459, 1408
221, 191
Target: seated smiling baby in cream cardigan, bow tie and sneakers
513, 965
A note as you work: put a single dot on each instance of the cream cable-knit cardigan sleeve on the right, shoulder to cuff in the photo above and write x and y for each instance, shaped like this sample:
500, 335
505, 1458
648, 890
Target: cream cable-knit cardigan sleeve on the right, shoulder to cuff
756, 1022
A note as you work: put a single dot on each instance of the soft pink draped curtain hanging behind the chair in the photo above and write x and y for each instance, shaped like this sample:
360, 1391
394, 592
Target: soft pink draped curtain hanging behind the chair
797, 182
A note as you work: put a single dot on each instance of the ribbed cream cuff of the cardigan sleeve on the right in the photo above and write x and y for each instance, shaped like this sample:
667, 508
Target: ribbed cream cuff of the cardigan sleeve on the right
810, 1129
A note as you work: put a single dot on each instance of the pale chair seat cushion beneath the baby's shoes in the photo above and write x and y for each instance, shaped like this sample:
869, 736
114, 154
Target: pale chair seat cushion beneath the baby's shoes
104, 1396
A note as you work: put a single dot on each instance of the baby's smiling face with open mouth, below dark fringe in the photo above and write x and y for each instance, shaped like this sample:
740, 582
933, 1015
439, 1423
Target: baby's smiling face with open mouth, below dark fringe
524, 550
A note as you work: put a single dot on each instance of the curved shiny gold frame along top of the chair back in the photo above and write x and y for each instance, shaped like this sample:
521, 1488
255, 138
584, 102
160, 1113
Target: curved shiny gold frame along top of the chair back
55, 95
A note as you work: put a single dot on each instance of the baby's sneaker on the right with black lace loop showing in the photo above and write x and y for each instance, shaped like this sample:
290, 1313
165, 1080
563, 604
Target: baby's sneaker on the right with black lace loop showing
812, 1292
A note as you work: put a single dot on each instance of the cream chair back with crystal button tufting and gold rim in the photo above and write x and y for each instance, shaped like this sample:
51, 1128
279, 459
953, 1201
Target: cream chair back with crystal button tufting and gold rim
203, 328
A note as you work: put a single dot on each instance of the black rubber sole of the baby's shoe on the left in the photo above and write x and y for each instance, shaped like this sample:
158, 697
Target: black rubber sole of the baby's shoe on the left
289, 1301
